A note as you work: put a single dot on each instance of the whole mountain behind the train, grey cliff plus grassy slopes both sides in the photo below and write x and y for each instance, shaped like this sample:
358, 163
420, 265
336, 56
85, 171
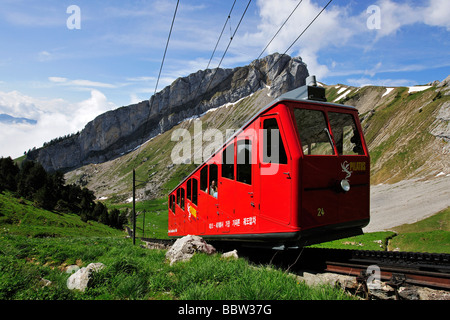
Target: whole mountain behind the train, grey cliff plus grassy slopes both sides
407, 129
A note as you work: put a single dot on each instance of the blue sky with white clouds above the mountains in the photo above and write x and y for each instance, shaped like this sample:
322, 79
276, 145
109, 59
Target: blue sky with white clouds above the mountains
63, 77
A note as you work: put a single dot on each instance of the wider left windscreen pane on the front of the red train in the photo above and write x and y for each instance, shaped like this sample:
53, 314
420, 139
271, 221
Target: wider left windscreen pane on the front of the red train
313, 130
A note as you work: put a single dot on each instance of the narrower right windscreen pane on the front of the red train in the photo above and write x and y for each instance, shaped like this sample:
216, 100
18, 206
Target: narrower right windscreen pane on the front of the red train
346, 134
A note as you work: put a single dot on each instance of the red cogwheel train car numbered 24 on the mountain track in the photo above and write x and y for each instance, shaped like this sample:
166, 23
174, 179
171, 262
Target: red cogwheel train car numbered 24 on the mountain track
297, 173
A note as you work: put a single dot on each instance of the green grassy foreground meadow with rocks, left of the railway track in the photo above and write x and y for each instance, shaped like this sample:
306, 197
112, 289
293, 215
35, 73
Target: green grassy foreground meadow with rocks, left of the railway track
37, 245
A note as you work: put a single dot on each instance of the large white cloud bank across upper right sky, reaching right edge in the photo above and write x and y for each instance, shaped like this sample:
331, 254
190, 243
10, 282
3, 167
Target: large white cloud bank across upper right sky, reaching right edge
338, 27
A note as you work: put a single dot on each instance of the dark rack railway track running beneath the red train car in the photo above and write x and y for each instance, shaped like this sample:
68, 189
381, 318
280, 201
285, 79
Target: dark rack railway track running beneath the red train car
395, 268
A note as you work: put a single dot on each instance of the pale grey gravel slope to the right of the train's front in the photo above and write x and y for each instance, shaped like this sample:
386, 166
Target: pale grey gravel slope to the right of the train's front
407, 201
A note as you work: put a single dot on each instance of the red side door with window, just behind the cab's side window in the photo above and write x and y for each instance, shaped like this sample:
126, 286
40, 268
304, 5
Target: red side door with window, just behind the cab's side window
244, 188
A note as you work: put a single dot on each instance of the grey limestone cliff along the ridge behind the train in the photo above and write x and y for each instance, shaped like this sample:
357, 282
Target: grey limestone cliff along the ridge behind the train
117, 132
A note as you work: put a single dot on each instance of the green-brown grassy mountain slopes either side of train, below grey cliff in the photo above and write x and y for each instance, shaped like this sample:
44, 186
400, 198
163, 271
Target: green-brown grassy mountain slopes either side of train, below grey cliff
404, 142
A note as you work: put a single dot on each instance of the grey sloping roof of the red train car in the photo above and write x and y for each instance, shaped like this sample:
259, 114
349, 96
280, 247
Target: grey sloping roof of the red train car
309, 94
